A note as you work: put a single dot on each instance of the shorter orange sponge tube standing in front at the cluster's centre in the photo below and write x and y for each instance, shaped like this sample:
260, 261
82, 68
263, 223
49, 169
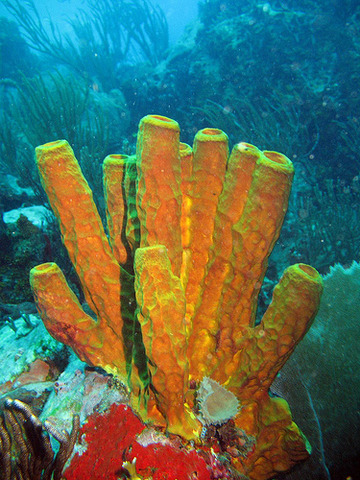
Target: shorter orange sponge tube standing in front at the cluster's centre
161, 301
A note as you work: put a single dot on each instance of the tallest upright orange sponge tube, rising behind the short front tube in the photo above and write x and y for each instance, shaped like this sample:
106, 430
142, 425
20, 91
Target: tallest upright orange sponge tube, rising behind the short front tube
159, 186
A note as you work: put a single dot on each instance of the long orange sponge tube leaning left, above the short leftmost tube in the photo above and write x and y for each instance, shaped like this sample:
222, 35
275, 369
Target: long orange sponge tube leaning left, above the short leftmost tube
81, 228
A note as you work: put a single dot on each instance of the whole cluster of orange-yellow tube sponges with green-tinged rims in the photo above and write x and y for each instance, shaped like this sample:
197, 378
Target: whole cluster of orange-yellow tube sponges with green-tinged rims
198, 243
